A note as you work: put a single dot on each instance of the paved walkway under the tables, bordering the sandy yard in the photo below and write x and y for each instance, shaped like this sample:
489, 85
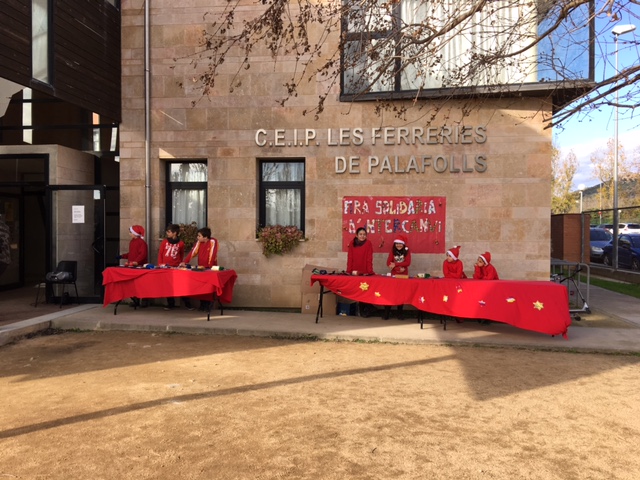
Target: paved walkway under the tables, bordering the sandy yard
295, 325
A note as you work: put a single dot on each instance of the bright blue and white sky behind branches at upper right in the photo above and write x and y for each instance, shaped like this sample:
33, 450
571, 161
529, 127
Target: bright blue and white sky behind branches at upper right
586, 134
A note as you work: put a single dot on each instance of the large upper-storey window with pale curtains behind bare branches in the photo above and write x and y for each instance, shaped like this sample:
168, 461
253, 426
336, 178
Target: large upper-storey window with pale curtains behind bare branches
385, 50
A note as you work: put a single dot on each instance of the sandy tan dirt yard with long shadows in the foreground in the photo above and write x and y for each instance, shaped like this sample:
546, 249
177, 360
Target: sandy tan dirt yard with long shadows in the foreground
114, 405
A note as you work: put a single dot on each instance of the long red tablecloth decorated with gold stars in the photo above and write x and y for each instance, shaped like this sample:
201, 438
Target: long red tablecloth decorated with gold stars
530, 305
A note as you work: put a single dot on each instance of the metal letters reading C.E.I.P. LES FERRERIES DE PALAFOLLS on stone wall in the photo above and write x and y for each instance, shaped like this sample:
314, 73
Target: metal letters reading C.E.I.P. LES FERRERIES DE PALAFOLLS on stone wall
425, 137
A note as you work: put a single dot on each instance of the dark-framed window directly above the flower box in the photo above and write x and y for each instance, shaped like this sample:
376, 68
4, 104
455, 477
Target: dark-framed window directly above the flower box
282, 193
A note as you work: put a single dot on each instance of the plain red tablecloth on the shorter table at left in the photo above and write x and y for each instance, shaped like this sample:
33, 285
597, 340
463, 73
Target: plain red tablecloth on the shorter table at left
124, 282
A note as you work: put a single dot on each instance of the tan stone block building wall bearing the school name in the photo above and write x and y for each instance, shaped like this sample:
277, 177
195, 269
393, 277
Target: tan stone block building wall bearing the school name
496, 179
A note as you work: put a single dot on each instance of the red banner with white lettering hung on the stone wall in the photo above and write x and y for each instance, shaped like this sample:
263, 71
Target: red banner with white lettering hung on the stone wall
421, 219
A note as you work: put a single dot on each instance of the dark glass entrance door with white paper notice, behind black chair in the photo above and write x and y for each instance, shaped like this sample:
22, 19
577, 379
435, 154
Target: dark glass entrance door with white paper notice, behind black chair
77, 232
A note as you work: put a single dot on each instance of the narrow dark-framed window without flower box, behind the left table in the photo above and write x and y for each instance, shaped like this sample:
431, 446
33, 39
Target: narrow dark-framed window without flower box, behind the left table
187, 192
